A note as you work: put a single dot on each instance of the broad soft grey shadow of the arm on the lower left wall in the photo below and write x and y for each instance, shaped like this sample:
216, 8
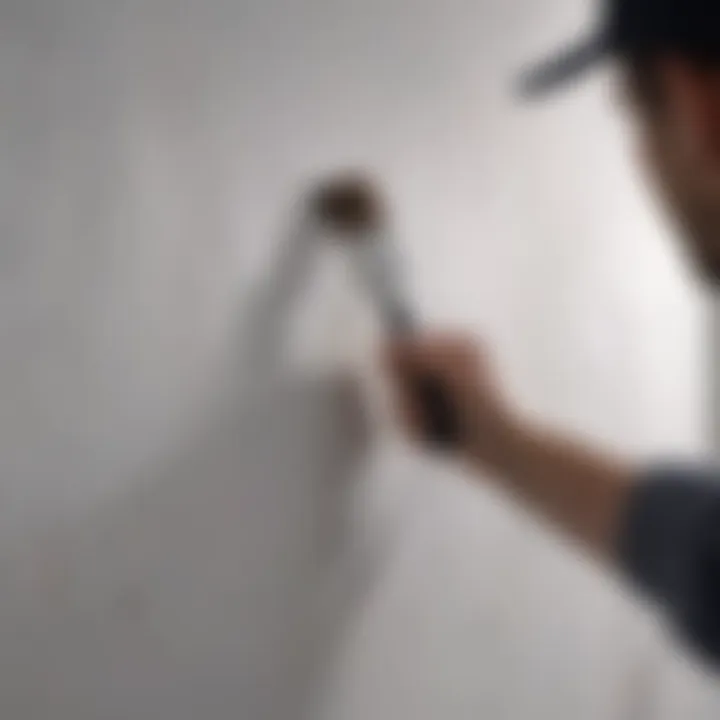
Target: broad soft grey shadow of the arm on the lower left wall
213, 587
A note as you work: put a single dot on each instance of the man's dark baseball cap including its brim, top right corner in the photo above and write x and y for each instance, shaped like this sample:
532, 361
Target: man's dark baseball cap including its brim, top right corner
630, 28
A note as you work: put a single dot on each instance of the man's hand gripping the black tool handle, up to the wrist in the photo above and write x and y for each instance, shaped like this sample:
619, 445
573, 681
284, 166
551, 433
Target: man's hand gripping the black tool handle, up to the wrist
462, 366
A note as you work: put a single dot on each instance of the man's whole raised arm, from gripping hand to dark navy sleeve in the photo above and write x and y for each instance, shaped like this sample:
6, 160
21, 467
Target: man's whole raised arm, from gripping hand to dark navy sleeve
660, 526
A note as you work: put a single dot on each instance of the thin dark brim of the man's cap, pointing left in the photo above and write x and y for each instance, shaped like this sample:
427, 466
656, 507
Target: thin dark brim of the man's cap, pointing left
565, 67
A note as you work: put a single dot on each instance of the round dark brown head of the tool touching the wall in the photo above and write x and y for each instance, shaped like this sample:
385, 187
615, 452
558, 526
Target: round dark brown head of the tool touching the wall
351, 206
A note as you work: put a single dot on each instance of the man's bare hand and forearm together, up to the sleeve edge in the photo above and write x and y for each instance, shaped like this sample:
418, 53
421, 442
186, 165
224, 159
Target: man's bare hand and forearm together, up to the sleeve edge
583, 490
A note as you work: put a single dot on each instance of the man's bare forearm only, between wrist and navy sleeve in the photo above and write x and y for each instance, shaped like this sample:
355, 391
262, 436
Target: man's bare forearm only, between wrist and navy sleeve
582, 490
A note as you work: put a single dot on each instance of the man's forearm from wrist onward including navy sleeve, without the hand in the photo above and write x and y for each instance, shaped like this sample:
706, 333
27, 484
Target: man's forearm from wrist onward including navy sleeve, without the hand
660, 527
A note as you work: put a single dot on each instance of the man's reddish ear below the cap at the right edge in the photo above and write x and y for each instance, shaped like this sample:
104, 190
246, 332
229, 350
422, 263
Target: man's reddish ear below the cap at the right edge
693, 105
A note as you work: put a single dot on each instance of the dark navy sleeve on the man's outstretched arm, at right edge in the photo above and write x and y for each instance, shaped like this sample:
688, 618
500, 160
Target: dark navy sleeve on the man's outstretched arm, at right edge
670, 547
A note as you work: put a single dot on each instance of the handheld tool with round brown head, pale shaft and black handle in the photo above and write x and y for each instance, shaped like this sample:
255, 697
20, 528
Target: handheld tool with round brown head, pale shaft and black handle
353, 210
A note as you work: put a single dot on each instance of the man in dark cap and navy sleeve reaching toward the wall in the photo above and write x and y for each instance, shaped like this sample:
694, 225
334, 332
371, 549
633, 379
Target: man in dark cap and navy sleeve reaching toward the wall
660, 526
